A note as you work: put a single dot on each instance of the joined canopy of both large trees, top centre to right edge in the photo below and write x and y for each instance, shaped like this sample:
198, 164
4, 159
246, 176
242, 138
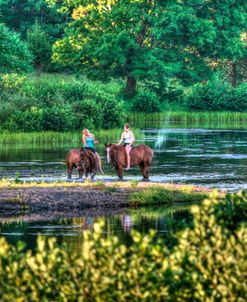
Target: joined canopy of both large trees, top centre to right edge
152, 40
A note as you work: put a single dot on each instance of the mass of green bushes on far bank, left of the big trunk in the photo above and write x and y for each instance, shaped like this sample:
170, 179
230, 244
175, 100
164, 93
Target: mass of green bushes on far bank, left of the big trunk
46, 103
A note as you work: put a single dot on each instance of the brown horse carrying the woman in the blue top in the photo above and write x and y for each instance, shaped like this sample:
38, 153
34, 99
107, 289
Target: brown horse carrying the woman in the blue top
85, 161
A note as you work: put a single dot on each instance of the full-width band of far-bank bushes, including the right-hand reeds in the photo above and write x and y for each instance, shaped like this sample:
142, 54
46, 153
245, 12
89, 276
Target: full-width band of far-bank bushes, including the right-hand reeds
63, 103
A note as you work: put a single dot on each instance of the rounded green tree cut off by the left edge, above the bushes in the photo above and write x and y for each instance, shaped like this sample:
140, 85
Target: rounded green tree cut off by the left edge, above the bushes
14, 53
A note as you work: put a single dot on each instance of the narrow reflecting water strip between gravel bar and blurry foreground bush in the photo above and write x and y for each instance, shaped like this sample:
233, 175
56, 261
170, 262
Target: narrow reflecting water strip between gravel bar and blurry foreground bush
70, 230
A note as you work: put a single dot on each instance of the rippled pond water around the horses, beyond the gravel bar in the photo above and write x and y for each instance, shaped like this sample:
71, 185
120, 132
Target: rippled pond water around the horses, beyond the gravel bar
205, 157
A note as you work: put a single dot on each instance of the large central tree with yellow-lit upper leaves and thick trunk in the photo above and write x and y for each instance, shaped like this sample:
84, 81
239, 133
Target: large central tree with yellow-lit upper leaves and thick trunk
111, 39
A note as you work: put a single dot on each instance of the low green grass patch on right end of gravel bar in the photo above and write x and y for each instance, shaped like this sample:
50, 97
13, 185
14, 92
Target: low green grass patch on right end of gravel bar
163, 196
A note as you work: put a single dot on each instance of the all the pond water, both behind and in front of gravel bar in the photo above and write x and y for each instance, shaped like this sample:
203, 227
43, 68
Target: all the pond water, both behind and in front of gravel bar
211, 158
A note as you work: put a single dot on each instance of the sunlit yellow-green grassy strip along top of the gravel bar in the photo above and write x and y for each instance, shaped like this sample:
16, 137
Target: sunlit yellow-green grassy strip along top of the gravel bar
135, 194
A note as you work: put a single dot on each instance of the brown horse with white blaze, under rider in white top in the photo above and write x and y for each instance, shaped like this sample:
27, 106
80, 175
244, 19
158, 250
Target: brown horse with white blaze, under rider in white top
141, 155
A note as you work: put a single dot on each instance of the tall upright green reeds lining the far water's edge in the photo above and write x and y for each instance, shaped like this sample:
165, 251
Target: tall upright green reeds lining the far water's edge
220, 120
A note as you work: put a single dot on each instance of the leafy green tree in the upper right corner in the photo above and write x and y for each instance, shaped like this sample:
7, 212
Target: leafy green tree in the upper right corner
208, 31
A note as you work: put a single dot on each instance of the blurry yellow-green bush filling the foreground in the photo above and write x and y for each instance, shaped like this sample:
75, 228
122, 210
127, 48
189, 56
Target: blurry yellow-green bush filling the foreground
207, 264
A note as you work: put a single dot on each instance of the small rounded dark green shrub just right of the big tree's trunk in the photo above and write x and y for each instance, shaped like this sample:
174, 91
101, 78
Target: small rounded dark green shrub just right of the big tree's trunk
145, 101
